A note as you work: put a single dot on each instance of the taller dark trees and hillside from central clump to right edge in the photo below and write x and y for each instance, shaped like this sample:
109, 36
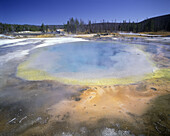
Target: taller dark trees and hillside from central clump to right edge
161, 23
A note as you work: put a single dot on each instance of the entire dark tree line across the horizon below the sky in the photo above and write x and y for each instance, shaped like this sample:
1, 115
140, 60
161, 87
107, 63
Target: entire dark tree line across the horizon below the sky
161, 23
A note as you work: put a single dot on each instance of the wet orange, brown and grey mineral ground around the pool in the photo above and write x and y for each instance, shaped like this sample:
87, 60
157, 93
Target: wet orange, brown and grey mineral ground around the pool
54, 108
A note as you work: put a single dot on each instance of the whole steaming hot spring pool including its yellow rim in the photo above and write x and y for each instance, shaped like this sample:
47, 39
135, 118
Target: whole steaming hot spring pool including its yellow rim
87, 62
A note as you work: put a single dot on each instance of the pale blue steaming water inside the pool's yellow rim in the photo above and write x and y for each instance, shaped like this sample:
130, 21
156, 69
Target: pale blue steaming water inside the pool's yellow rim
92, 60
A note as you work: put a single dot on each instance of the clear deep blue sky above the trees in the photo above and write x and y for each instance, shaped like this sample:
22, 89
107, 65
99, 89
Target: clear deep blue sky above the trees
57, 12
